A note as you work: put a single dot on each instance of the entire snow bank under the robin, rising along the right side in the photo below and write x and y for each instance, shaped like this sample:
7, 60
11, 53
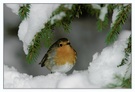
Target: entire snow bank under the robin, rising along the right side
100, 73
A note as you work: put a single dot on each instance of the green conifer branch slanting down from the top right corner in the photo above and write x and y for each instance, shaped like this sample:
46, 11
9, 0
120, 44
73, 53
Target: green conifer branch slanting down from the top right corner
120, 20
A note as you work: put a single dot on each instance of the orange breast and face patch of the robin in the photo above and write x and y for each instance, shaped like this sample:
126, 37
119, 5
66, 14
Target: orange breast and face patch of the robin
65, 54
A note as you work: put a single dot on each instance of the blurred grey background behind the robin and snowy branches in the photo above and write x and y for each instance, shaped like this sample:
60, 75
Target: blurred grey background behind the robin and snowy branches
84, 38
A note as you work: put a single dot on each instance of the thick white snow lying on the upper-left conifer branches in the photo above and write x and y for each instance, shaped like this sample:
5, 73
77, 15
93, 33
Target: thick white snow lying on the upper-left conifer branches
39, 15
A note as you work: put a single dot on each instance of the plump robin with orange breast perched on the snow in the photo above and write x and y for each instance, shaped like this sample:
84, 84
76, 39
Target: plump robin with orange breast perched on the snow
60, 57
